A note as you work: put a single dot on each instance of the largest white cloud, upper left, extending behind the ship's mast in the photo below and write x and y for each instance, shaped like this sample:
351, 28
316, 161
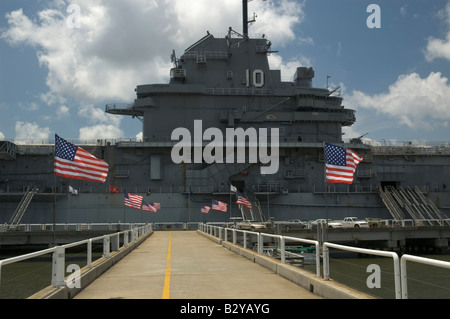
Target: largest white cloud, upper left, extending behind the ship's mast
121, 44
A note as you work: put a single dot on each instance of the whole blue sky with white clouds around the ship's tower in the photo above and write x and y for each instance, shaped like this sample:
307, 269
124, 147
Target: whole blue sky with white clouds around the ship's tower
62, 61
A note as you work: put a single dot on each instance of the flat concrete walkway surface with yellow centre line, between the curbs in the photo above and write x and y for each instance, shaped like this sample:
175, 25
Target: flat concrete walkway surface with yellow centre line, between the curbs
186, 265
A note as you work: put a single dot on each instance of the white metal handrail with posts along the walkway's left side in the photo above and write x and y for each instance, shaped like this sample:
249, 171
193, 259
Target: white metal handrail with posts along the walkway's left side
58, 260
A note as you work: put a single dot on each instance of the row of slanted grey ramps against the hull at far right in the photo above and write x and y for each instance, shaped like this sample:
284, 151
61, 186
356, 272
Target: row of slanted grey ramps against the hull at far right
421, 209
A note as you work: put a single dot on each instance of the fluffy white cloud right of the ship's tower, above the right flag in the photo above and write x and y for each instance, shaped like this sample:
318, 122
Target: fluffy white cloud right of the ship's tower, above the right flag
412, 101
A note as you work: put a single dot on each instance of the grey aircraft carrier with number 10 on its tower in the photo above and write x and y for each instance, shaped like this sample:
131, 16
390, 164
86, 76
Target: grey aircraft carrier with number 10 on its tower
219, 87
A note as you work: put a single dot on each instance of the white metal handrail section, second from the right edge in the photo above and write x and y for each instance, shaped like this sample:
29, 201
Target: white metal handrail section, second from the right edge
394, 256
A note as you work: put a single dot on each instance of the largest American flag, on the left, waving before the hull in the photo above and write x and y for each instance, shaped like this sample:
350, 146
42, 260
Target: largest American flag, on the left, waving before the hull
73, 162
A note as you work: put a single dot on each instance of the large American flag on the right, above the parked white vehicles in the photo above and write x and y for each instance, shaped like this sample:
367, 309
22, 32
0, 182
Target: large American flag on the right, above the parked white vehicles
340, 164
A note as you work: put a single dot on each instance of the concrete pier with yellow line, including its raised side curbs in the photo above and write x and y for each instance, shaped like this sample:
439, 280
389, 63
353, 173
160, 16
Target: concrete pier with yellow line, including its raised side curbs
191, 264
